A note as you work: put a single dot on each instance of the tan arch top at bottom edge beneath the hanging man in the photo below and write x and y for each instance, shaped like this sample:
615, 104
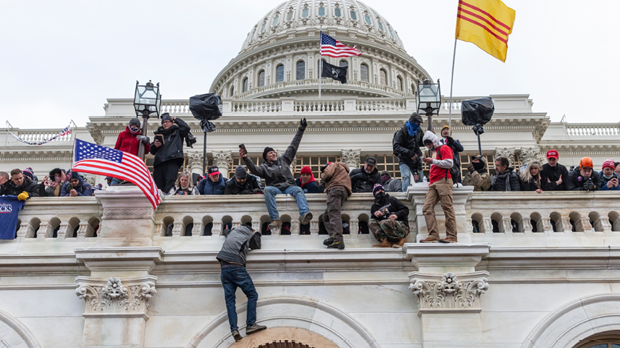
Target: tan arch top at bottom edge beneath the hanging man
285, 337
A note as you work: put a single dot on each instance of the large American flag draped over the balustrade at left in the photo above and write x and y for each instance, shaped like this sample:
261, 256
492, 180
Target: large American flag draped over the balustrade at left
101, 160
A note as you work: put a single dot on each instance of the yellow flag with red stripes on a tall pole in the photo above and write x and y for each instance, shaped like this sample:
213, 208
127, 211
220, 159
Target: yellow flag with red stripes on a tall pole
487, 24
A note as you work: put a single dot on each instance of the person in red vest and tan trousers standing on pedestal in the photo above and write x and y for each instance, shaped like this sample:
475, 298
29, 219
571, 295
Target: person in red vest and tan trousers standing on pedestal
439, 190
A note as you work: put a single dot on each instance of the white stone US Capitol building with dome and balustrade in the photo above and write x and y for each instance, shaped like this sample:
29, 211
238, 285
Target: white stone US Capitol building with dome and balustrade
542, 272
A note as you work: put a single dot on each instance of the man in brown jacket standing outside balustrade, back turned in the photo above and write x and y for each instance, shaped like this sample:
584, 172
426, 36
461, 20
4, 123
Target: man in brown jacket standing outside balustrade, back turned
335, 175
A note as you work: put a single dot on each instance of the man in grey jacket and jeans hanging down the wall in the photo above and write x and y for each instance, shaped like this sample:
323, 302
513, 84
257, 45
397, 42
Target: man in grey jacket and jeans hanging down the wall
232, 258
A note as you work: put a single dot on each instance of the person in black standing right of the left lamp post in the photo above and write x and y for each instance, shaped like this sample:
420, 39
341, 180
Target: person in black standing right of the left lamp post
168, 150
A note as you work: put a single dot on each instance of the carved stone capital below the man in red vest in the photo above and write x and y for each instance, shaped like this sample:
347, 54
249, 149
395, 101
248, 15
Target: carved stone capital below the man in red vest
449, 292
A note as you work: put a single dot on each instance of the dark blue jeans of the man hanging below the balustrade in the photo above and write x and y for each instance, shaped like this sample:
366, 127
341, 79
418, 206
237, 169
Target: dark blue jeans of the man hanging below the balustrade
233, 277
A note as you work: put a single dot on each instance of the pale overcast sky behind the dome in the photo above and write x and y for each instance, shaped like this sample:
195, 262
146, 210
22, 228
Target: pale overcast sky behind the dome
61, 59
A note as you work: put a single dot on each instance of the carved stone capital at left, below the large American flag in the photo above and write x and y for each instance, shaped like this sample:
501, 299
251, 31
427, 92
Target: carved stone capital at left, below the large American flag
115, 297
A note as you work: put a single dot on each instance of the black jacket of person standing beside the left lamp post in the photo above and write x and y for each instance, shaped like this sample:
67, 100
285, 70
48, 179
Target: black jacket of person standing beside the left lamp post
172, 149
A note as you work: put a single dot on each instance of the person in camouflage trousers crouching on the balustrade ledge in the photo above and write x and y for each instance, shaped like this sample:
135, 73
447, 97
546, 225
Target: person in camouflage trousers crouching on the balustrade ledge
389, 221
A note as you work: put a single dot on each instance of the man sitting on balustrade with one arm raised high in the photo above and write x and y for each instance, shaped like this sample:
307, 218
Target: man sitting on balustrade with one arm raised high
277, 173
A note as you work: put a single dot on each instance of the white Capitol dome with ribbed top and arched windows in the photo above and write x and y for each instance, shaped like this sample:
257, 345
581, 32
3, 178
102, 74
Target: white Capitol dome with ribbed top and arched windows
280, 56
